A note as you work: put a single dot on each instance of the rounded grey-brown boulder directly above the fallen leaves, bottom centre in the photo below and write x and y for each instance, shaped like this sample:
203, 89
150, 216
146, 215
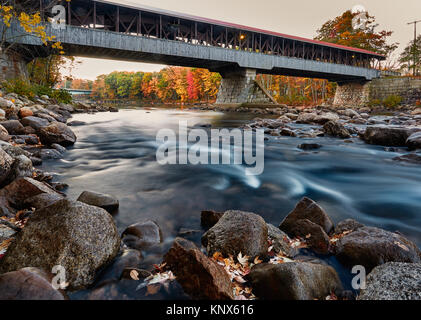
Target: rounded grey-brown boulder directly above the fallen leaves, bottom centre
238, 231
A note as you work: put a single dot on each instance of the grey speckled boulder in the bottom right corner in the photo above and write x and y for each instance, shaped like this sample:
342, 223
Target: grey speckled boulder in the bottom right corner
393, 281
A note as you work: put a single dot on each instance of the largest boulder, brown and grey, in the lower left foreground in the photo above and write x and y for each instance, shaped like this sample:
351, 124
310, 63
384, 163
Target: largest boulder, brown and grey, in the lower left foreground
79, 237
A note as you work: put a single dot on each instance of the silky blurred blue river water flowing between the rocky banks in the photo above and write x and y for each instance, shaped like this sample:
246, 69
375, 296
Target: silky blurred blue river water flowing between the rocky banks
116, 154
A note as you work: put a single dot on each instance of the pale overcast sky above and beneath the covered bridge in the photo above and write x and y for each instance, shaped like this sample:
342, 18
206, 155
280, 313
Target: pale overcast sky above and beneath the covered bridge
299, 18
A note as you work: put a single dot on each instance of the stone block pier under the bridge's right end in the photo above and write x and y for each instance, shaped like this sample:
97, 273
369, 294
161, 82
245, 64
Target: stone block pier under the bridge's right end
353, 94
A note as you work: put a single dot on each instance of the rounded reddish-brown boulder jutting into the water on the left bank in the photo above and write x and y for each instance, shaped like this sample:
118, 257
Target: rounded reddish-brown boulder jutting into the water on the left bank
57, 132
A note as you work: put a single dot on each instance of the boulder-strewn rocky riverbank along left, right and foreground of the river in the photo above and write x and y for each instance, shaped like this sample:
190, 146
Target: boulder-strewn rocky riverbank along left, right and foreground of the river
241, 256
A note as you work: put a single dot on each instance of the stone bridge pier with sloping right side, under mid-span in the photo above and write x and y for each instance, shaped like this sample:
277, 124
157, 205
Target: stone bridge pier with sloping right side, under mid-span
239, 87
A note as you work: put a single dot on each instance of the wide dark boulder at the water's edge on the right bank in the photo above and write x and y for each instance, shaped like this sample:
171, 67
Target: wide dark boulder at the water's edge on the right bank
386, 136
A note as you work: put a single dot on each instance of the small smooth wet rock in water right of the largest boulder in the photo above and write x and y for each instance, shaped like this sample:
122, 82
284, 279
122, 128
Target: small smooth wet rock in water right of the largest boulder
142, 235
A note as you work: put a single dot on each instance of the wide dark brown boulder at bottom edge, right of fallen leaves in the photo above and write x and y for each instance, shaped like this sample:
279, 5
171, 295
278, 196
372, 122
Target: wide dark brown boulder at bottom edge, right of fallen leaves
293, 281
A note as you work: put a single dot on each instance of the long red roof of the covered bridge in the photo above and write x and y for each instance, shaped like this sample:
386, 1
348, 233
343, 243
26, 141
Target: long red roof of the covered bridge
238, 26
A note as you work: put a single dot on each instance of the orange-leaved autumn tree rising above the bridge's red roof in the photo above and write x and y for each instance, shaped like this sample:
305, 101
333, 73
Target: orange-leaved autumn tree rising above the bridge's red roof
340, 30
